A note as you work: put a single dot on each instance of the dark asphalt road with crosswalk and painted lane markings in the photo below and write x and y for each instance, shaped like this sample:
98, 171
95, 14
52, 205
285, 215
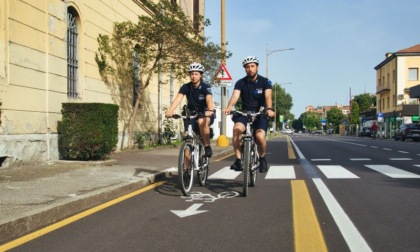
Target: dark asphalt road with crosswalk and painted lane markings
340, 194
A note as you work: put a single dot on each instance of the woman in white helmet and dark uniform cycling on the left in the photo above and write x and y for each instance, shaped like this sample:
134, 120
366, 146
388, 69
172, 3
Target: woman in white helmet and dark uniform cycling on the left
199, 100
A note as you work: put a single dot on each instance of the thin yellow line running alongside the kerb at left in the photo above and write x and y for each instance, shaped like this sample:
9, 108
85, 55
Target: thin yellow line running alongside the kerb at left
60, 224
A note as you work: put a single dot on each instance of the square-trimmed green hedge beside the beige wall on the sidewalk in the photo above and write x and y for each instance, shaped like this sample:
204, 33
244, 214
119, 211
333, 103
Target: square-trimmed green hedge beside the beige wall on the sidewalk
89, 131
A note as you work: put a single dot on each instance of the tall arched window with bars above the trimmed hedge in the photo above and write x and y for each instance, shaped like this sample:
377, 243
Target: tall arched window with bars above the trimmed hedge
72, 53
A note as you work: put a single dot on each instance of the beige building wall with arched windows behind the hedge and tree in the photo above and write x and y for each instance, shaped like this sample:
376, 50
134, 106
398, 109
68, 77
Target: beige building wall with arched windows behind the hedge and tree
47, 57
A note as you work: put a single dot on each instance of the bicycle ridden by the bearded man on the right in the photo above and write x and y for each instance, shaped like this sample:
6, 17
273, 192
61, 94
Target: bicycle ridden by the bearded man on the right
249, 152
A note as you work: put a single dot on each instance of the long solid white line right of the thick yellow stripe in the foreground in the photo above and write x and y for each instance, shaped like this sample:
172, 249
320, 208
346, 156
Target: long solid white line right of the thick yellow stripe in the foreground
351, 235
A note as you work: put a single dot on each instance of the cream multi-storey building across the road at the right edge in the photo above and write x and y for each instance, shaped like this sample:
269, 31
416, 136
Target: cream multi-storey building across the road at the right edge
395, 76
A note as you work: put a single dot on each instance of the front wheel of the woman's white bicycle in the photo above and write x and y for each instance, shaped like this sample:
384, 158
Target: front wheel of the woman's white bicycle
185, 168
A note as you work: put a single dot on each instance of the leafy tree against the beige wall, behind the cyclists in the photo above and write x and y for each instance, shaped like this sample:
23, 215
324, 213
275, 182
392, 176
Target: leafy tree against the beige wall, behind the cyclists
165, 42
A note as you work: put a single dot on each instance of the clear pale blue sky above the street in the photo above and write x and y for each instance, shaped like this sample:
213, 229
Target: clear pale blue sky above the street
337, 43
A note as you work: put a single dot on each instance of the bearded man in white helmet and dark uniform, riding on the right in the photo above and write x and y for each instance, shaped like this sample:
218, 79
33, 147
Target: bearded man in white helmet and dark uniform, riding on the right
255, 92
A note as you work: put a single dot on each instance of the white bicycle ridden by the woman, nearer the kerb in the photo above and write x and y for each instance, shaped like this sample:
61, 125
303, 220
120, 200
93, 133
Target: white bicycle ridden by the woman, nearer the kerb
191, 157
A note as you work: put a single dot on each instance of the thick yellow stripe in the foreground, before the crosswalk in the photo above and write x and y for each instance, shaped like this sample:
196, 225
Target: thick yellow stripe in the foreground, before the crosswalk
308, 235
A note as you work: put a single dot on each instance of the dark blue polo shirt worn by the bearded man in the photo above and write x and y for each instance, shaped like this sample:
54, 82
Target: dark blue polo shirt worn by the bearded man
253, 93
